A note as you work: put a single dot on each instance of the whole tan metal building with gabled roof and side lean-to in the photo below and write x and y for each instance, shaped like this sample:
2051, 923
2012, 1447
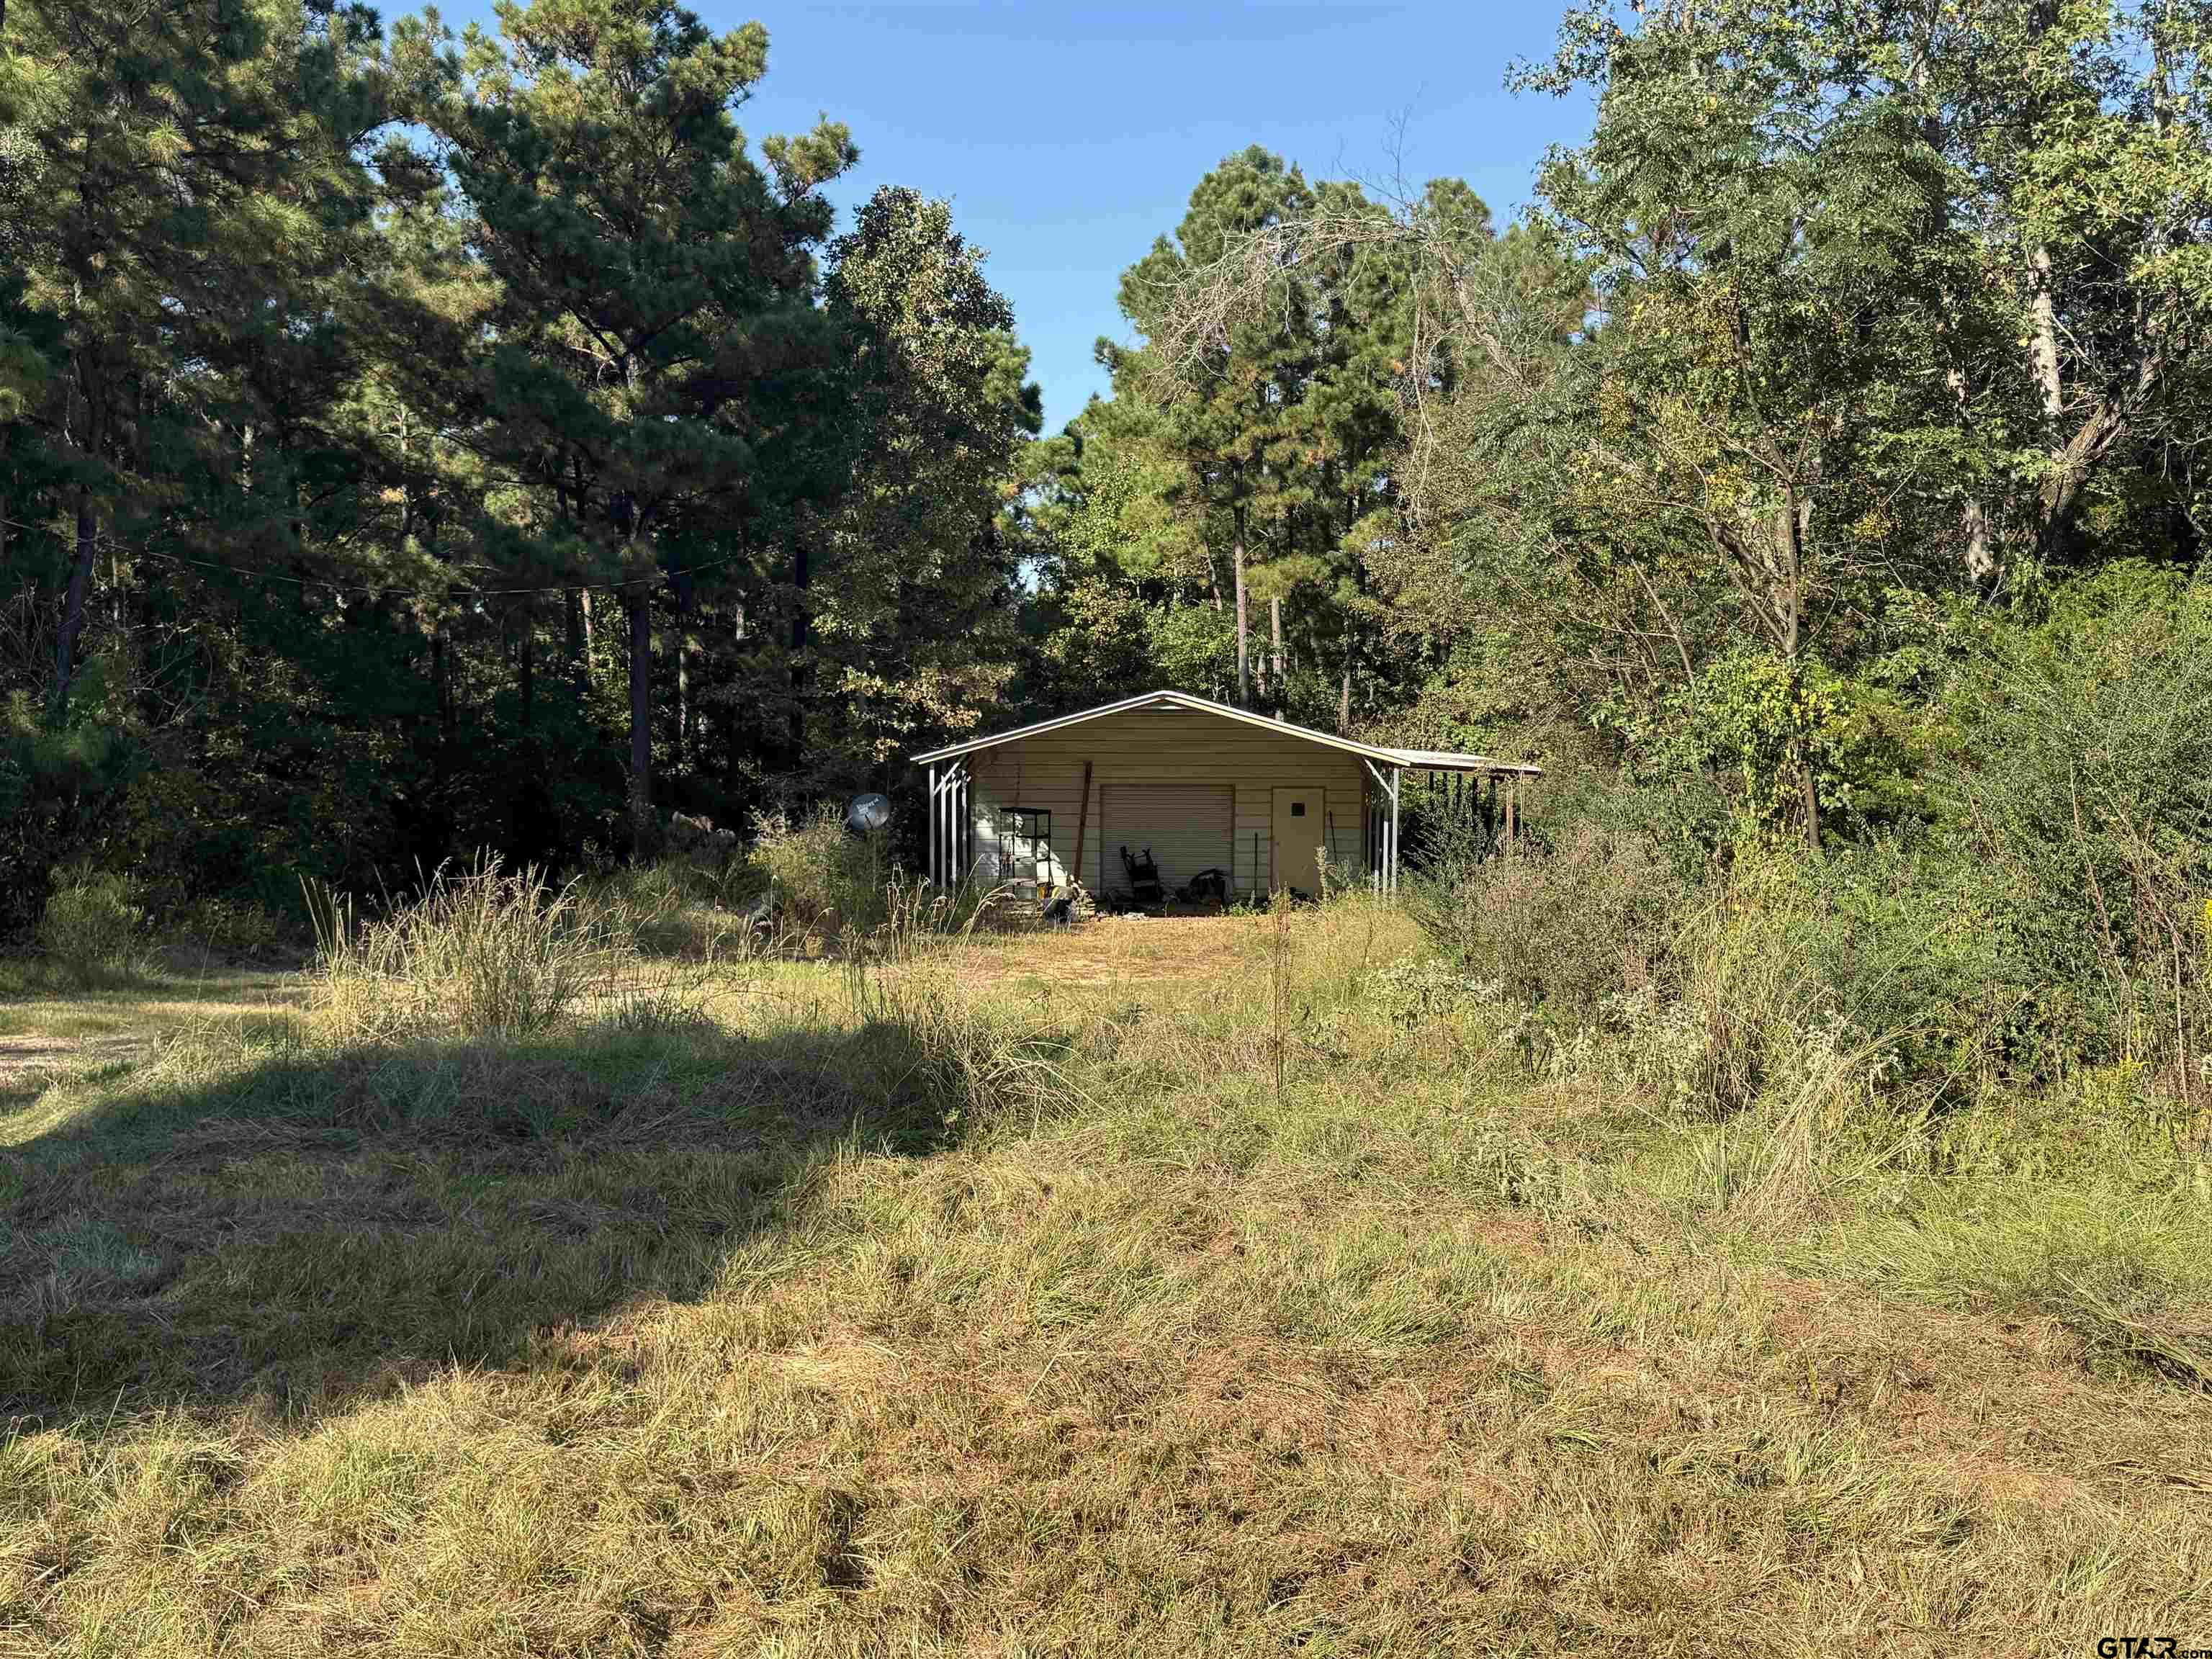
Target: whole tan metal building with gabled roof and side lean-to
1200, 784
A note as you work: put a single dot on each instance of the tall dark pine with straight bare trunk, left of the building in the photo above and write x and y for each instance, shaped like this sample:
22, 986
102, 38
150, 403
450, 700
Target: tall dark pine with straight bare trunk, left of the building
654, 355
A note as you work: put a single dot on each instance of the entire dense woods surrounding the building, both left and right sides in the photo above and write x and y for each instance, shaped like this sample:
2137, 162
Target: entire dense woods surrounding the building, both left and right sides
424, 444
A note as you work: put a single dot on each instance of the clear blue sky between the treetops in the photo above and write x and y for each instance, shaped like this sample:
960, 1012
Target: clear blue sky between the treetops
1070, 136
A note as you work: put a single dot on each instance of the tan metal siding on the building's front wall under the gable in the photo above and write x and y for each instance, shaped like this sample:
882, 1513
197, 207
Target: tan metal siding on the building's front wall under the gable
1173, 749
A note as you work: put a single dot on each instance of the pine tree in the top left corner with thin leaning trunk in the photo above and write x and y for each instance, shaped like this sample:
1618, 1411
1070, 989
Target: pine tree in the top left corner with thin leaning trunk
187, 187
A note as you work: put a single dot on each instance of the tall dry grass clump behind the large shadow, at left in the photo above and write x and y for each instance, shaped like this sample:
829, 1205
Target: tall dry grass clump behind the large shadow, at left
479, 954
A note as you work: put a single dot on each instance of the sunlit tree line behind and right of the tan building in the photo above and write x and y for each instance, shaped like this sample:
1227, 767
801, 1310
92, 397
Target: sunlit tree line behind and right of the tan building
1850, 340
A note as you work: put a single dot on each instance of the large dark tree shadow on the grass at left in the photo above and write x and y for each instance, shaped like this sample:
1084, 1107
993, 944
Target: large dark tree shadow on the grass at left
286, 1224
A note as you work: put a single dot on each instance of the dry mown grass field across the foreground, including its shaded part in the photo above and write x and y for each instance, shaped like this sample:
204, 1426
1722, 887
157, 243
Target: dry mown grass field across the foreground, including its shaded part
1158, 1288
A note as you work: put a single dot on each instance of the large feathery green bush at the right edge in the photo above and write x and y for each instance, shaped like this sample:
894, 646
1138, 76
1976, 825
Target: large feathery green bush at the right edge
2080, 822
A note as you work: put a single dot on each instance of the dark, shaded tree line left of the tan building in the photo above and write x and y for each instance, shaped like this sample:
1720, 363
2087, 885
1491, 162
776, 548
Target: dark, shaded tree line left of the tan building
424, 441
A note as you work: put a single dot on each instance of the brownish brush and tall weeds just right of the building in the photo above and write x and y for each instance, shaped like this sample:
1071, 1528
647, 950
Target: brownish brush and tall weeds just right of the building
1711, 981
